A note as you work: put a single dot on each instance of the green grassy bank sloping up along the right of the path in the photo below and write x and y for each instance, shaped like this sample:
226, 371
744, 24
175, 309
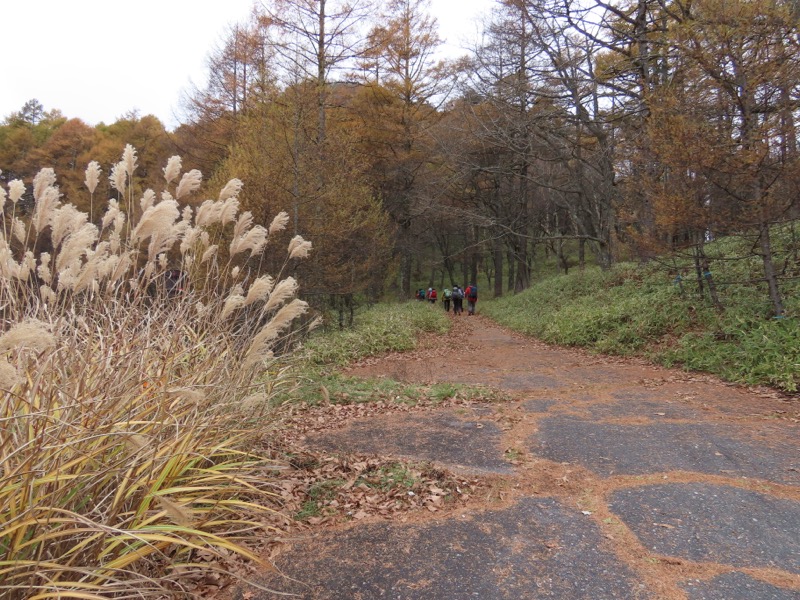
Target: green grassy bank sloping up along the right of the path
641, 310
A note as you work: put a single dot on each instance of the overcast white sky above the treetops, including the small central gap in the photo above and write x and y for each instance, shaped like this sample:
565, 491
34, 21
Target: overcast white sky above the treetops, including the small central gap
97, 60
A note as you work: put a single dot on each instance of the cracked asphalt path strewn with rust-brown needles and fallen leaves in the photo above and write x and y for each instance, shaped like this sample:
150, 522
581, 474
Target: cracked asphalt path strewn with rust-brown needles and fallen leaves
587, 477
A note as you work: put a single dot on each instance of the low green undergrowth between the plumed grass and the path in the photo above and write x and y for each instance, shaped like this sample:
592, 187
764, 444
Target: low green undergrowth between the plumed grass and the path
378, 330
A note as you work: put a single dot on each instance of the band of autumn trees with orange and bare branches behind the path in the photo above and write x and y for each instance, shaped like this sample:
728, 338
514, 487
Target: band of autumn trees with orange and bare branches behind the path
593, 131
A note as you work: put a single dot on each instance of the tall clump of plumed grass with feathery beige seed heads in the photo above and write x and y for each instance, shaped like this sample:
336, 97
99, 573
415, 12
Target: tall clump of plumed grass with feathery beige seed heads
135, 358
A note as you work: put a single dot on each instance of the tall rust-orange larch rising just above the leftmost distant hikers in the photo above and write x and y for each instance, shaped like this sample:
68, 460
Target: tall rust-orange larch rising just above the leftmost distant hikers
403, 82
